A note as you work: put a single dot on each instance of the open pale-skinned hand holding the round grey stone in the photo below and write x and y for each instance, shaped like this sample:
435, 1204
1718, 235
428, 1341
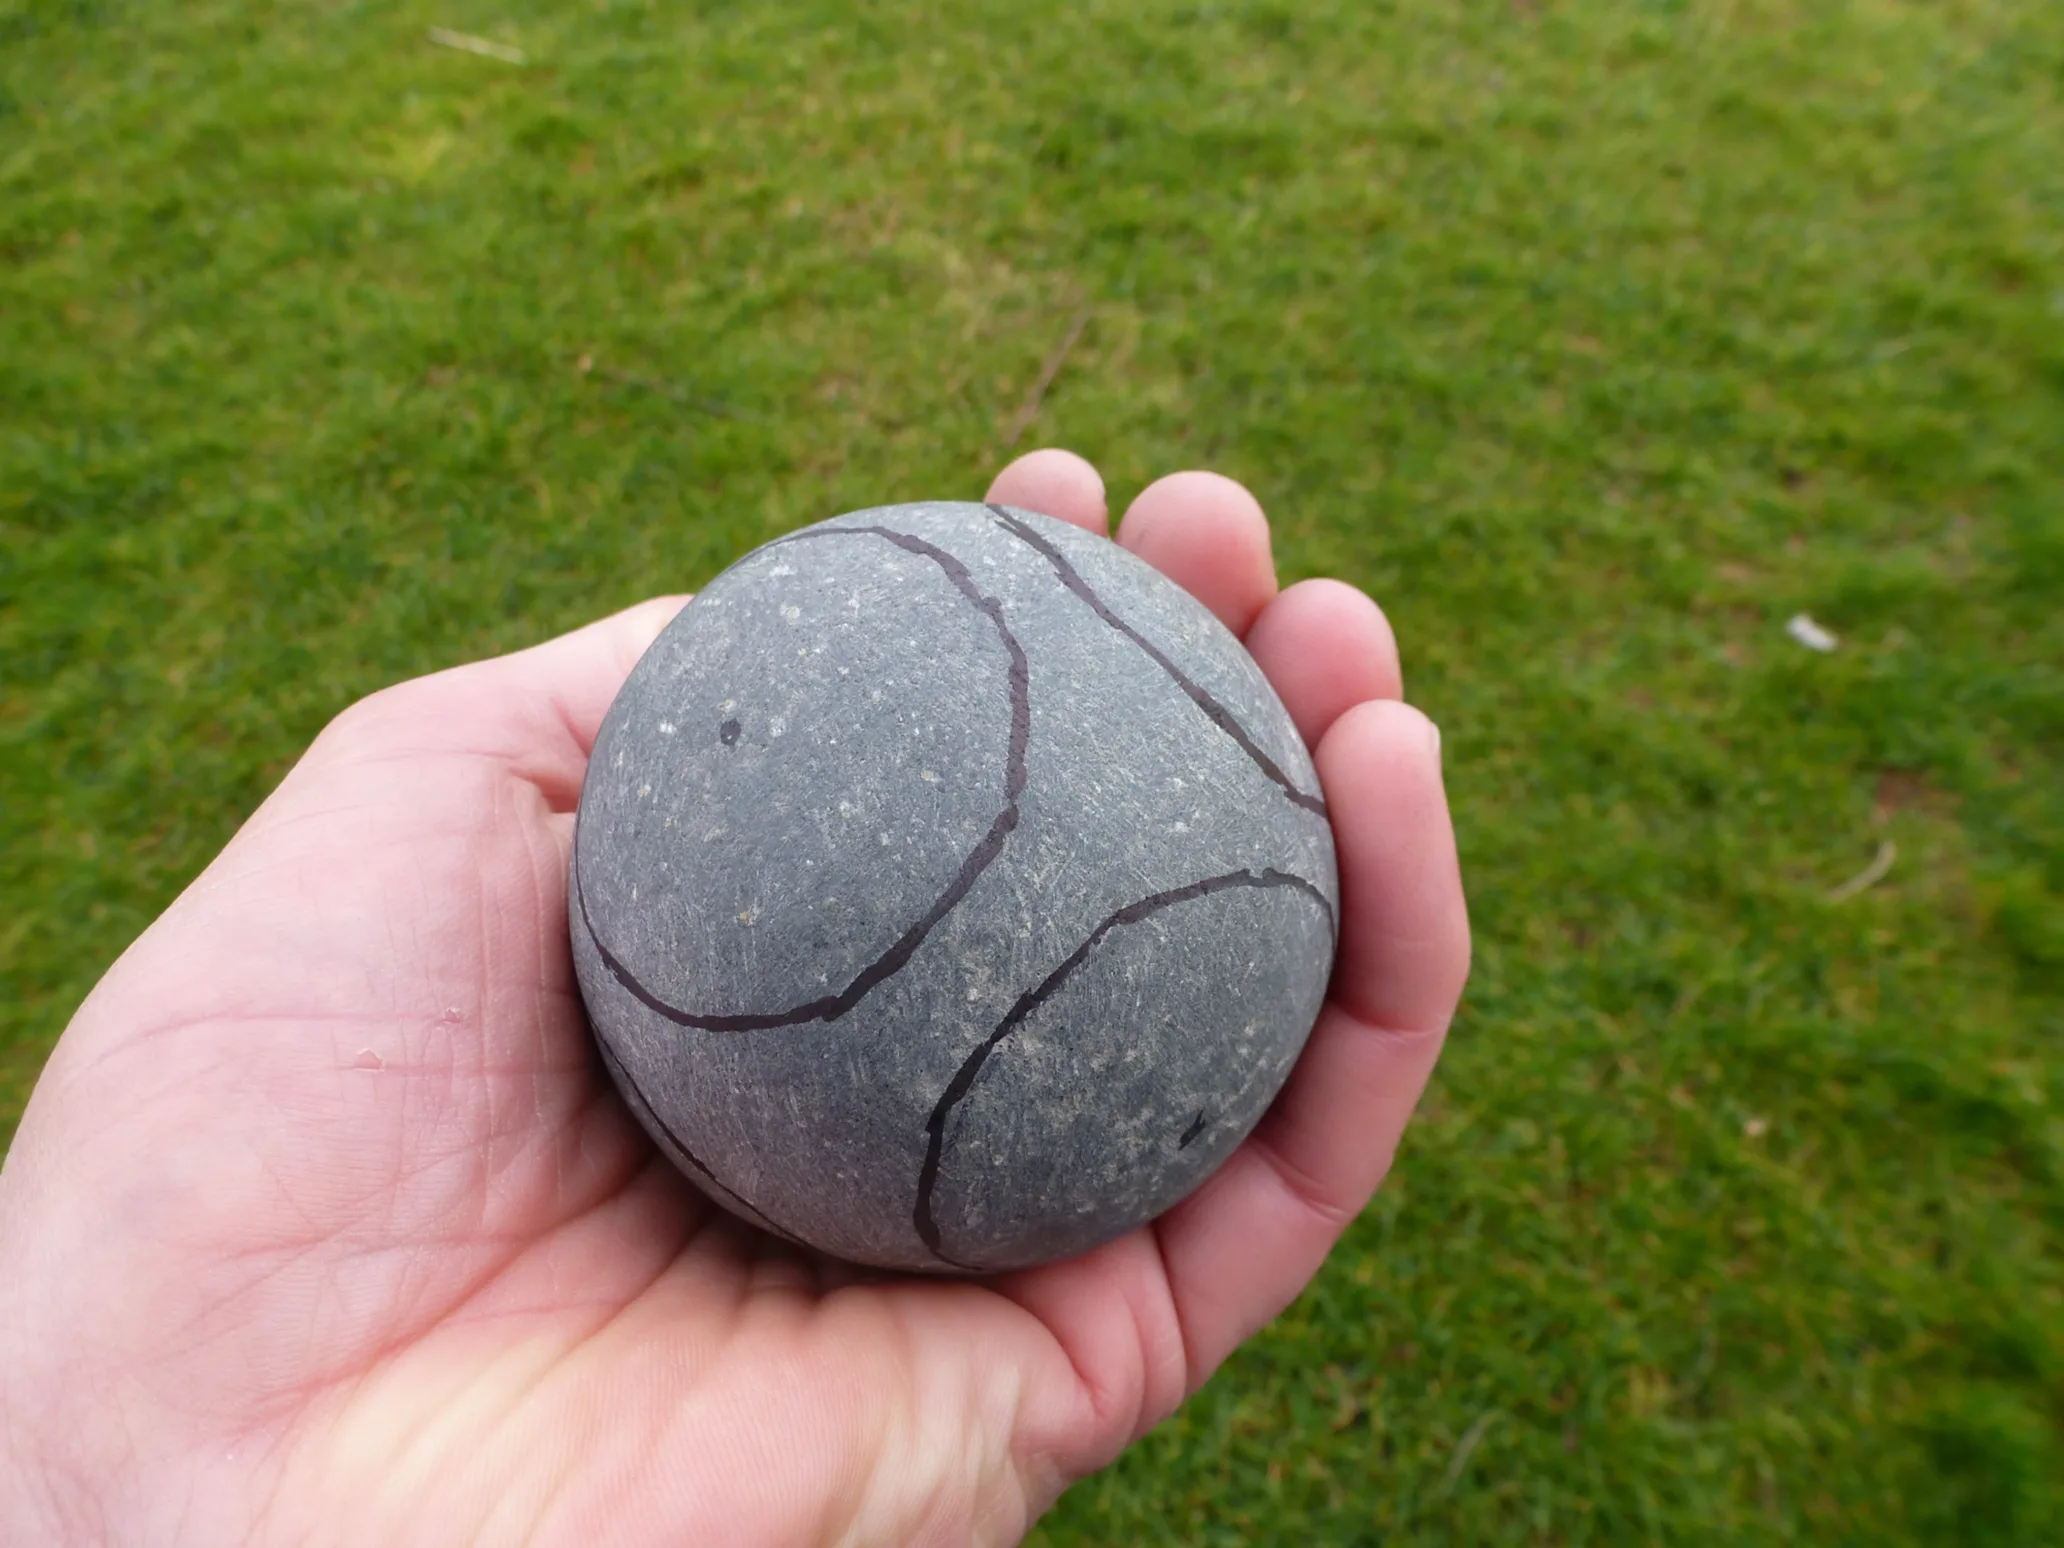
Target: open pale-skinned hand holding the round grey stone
325, 1225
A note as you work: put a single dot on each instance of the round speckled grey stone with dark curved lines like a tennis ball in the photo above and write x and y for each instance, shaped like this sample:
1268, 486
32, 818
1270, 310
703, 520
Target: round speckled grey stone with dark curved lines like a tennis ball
950, 891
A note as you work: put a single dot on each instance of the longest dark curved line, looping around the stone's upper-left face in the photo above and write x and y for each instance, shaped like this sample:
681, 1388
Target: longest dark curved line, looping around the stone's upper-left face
979, 860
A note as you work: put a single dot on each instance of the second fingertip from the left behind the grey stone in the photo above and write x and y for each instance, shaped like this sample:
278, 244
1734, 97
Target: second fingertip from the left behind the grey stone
1211, 536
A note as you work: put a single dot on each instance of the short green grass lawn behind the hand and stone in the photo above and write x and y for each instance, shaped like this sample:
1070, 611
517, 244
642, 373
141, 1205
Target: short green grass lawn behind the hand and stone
1592, 337
